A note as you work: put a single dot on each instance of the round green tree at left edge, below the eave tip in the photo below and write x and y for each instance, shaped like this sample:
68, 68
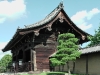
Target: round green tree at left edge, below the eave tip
5, 62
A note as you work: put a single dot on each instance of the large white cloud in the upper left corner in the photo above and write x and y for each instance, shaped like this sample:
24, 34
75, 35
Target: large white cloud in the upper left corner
12, 10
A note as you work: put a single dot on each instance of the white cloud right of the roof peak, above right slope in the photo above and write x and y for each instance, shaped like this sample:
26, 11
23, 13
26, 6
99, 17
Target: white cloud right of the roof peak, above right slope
81, 18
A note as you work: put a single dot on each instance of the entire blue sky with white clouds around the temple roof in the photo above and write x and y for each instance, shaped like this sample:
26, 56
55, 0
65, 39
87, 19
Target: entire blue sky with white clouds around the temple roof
13, 13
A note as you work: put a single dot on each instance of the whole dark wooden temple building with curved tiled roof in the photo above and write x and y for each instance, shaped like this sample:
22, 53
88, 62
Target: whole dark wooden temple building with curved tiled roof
32, 45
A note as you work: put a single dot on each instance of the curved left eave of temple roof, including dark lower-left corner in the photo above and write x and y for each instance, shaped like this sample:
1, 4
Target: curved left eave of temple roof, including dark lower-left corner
43, 22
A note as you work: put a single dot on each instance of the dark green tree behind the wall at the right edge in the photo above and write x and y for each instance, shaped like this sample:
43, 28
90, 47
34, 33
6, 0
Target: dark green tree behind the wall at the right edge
95, 39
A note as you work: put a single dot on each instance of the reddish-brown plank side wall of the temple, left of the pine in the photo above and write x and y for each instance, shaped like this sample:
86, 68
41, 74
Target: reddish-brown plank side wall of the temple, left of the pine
44, 51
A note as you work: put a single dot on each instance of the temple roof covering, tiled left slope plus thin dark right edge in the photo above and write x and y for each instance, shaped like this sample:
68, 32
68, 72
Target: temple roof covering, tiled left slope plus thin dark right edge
45, 21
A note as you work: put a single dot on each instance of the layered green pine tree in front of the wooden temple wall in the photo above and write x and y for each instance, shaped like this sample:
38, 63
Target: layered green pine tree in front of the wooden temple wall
67, 50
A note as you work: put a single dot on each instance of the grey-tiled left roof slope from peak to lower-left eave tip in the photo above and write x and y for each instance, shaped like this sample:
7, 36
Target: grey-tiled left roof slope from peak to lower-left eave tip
47, 19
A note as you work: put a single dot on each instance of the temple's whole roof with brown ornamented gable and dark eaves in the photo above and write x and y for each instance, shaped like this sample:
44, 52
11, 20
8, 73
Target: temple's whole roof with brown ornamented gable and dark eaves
57, 18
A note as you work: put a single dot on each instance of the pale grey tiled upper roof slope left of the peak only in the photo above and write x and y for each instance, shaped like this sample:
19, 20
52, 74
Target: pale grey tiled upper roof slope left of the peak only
47, 18
